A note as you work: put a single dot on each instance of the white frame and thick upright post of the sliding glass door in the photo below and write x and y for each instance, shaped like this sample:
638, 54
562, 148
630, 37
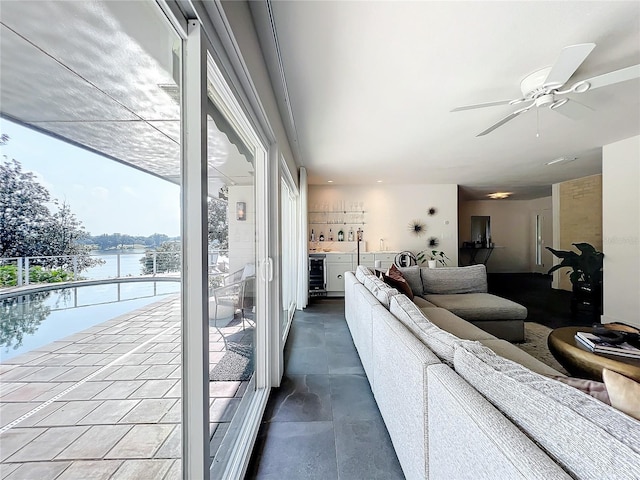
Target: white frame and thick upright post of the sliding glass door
197, 67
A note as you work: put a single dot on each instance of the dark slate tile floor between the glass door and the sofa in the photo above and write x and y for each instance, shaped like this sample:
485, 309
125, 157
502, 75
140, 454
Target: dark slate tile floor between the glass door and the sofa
323, 422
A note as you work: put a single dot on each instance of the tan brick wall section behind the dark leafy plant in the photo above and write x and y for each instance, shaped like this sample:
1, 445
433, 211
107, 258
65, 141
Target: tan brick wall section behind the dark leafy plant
580, 217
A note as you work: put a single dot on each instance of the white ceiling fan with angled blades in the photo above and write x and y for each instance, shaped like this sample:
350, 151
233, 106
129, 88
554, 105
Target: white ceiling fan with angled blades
543, 87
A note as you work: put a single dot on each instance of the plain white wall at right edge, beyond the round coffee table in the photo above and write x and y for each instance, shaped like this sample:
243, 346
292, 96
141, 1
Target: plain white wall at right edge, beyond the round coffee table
621, 231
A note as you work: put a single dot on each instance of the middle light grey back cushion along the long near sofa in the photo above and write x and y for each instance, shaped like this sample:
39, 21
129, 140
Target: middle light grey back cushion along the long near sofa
440, 342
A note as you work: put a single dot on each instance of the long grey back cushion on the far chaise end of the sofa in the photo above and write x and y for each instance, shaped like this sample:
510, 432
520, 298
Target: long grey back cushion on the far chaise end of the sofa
451, 280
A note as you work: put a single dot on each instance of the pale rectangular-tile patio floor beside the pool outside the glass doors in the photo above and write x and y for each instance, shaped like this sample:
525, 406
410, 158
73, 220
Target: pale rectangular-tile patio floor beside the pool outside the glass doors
105, 403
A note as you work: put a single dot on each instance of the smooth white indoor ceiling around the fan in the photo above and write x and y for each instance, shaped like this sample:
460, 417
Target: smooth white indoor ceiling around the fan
371, 86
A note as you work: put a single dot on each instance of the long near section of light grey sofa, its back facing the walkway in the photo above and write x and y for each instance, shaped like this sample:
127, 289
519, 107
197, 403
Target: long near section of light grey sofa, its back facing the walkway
461, 404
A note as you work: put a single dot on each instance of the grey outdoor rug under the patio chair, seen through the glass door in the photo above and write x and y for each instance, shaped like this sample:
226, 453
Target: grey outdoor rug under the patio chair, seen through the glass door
237, 362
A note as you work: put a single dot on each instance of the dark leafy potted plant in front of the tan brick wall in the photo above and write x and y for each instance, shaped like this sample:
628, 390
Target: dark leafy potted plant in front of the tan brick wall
585, 275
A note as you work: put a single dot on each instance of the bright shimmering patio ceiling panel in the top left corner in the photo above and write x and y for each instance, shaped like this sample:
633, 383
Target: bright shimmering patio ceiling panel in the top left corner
122, 48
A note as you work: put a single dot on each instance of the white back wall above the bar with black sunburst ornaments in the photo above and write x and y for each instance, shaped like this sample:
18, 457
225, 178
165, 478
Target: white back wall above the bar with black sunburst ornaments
391, 208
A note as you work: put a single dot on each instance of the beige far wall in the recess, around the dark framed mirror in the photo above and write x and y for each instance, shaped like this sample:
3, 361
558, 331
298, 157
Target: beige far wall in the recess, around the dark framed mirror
512, 231
